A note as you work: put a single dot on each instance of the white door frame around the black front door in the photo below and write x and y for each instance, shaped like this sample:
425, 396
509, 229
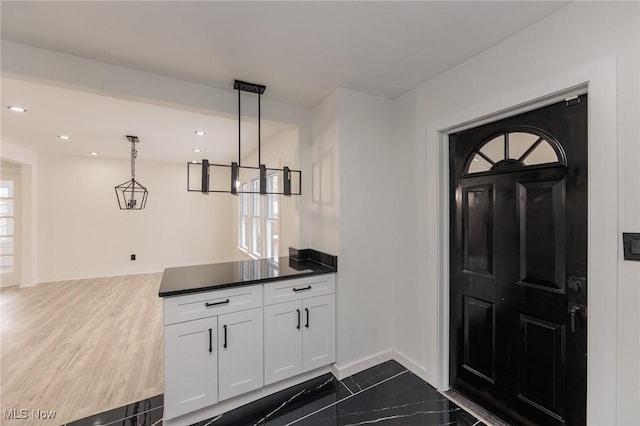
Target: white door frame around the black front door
599, 80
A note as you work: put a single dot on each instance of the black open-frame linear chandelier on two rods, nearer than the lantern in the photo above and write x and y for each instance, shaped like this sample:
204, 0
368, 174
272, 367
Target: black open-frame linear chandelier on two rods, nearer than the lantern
236, 166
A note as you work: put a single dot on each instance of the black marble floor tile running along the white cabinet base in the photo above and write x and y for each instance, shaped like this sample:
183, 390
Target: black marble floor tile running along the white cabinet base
285, 406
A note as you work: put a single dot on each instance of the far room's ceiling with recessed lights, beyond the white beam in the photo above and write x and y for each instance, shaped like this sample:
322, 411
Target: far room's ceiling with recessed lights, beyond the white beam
100, 124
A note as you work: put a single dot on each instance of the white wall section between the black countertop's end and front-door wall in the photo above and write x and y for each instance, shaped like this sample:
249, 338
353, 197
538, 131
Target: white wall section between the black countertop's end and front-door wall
354, 211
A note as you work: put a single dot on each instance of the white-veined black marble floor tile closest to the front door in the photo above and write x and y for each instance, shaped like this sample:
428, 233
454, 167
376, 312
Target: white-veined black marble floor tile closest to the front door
405, 399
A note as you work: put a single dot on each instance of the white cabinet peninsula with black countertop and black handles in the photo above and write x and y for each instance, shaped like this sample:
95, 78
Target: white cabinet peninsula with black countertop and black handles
235, 332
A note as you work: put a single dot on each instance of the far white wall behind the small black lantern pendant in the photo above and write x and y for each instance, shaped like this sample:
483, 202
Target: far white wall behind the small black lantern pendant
83, 233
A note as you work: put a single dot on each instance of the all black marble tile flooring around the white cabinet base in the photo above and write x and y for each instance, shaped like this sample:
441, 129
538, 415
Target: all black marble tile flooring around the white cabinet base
402, 399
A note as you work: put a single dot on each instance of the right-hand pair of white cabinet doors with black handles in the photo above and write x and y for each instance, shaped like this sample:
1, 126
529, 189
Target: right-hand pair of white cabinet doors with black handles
299, 336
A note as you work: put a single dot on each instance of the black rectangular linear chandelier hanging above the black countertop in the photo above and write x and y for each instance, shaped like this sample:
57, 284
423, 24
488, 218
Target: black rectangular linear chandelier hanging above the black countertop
212, 176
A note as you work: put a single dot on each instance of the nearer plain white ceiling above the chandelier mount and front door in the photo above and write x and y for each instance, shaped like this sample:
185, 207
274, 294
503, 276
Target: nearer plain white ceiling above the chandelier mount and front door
300, 50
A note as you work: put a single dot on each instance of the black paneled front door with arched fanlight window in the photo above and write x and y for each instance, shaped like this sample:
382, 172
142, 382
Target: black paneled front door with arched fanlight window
519, 265
